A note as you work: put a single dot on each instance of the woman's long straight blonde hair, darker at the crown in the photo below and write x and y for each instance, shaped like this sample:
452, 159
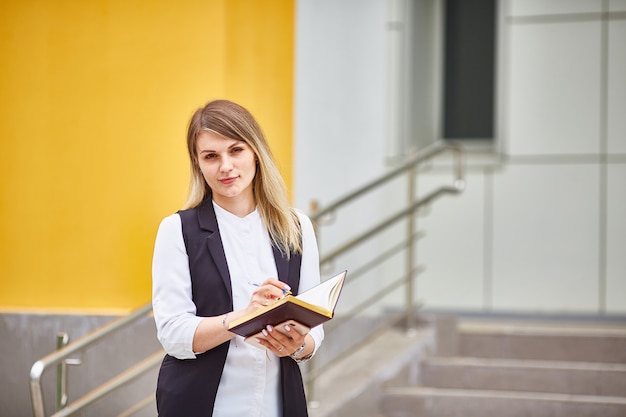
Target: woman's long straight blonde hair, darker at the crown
233, 121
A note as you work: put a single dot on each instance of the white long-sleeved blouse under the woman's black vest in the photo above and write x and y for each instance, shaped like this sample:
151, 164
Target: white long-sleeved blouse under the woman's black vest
250, 383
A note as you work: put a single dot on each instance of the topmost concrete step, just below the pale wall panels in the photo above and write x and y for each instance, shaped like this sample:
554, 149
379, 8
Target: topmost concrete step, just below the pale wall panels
546, 342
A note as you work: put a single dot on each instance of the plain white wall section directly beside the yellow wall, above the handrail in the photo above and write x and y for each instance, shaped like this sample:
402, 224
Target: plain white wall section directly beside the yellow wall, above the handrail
340, 96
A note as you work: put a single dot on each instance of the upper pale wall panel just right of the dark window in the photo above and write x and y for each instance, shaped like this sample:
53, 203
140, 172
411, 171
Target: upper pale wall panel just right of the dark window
554, 101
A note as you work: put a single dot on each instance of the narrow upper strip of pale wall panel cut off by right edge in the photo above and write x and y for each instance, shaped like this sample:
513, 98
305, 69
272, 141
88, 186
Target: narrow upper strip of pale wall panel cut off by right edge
616, 129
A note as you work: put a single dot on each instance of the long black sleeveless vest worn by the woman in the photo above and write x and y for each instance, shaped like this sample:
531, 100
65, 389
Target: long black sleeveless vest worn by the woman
187, 388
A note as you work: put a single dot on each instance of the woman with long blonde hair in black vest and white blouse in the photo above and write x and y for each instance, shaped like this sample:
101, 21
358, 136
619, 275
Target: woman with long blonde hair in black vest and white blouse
235, 248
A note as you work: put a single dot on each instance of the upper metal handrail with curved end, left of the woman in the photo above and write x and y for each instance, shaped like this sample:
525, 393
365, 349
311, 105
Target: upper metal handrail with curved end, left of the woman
63, 354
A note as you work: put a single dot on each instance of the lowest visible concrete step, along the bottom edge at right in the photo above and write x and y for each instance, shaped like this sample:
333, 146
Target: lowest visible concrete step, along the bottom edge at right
437, 402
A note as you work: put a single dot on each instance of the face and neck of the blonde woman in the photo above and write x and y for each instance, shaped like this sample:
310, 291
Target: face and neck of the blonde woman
228, 166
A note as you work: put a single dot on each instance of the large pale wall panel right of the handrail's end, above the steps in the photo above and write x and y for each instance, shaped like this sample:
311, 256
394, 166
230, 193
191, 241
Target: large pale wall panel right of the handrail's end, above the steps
546, 238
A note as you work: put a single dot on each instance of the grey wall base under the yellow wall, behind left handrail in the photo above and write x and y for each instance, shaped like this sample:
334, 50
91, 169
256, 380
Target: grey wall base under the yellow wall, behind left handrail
26, 338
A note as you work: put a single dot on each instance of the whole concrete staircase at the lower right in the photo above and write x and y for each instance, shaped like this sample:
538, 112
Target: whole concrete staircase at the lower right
512, 368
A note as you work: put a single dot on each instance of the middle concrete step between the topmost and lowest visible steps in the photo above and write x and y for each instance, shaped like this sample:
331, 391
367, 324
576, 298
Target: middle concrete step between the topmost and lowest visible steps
574, 378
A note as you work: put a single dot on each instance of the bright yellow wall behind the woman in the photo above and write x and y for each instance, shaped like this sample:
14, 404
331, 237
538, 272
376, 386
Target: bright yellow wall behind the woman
95, 97
